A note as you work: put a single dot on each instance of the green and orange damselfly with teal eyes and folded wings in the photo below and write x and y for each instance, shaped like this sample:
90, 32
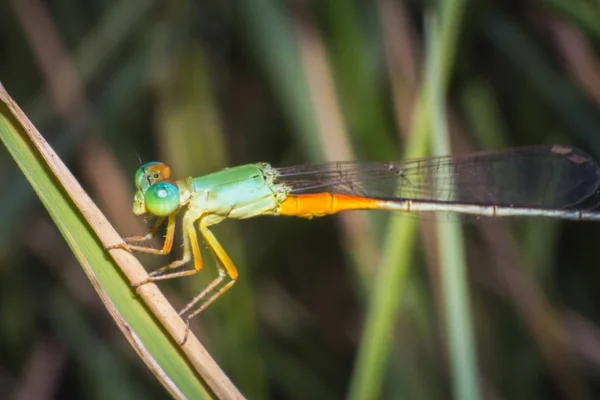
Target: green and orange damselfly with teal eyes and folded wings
549, 181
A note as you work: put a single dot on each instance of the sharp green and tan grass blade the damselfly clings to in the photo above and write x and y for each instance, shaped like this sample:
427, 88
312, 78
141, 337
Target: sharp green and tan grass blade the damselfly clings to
87, 233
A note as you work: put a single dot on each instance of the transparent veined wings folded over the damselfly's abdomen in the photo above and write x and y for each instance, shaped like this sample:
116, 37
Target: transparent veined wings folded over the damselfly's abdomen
540, 176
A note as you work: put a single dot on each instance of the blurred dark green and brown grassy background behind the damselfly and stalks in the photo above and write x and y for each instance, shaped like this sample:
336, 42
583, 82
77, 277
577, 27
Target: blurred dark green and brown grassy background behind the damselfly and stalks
208, 84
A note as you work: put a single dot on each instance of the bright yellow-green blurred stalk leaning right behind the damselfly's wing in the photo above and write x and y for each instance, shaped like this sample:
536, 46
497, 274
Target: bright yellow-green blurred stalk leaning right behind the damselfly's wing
387, 289
